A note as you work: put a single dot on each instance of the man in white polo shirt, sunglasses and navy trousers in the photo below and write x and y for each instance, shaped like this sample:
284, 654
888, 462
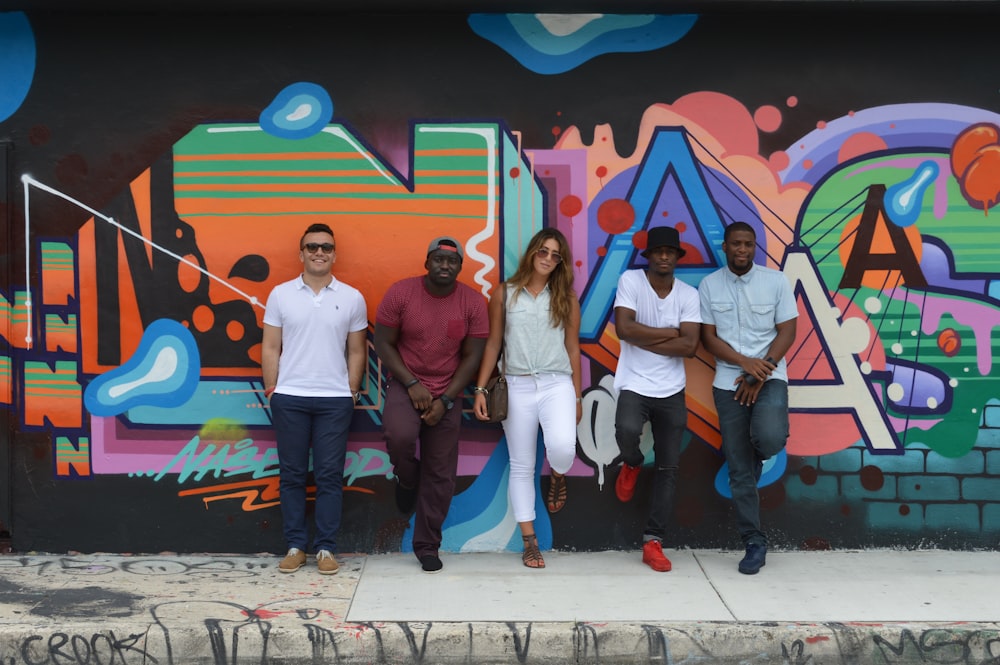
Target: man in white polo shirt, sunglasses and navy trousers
313, 360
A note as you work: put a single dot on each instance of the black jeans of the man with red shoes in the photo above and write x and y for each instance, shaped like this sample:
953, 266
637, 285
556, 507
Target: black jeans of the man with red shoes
667, 418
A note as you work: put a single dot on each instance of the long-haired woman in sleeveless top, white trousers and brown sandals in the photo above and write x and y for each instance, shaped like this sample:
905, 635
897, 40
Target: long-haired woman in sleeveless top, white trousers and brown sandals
535, 321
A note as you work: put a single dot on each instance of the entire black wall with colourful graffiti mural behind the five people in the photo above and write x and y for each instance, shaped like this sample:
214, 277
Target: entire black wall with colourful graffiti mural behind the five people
160, 168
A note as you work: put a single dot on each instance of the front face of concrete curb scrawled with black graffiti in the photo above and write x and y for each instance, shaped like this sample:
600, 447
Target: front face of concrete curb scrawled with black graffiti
256, 640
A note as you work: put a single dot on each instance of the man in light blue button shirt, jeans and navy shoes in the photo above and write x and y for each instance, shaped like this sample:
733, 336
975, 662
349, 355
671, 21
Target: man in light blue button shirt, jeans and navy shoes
748, 323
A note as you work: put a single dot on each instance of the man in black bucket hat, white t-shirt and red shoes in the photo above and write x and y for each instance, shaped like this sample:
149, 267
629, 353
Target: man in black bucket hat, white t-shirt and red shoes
658, 320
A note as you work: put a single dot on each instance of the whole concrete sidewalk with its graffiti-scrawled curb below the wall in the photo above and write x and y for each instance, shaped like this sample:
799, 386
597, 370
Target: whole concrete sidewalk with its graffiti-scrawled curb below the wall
601, 607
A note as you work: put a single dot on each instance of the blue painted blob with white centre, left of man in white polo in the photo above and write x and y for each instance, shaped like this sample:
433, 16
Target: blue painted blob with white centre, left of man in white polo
164, 371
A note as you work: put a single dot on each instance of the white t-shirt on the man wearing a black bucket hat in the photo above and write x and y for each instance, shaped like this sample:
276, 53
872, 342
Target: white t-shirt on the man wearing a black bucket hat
641, 371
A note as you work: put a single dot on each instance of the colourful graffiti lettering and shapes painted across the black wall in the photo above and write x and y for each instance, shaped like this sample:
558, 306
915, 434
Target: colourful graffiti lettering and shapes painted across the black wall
131, 339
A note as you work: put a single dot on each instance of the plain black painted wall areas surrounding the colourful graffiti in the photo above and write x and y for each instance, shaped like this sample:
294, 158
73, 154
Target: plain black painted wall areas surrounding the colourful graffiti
115, 88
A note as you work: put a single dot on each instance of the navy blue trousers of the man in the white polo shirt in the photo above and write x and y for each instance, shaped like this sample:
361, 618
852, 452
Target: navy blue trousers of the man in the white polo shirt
321, 424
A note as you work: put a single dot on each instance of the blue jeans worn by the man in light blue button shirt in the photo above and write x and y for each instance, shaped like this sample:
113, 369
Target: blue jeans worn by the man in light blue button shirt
751, 434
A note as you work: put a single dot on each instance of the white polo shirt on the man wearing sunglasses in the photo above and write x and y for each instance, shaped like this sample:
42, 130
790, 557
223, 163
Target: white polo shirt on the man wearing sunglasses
314, 330
